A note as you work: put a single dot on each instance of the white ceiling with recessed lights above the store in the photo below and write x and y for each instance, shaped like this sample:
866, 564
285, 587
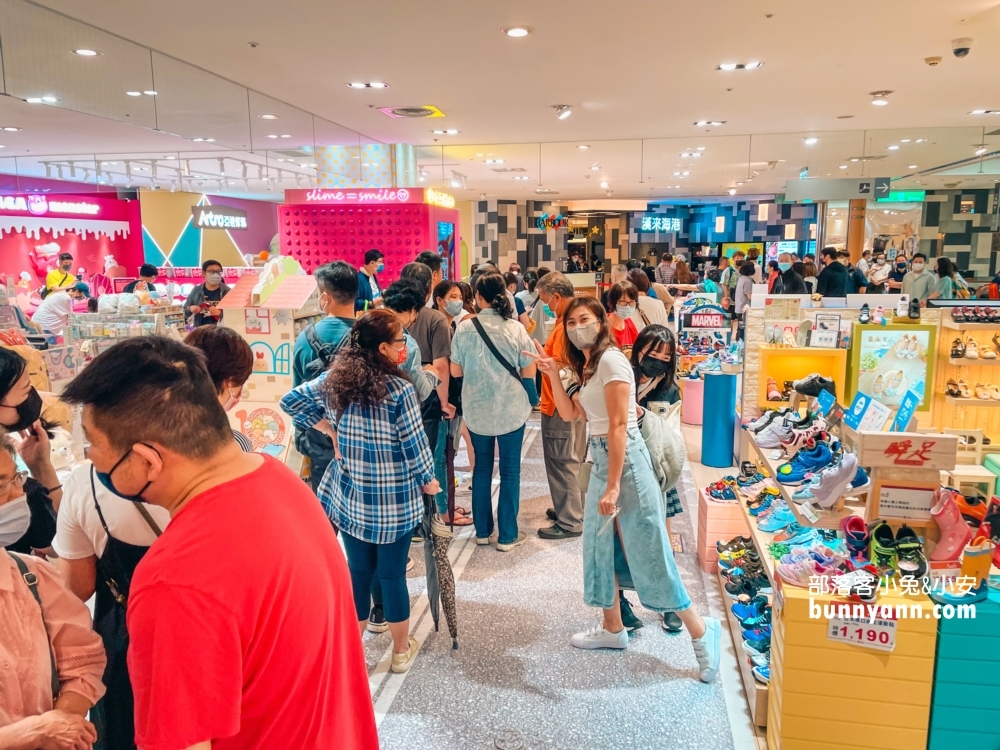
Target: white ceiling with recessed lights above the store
637, 74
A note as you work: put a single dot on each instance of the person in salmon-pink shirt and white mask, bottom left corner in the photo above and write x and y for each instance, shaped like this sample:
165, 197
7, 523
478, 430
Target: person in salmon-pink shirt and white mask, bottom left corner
52, 659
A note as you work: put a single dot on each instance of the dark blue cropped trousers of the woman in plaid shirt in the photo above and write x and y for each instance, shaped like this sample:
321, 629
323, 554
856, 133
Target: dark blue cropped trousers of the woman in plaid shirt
387, 562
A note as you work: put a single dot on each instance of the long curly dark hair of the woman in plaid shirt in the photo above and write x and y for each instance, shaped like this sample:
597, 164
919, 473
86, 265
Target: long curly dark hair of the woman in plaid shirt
359, 373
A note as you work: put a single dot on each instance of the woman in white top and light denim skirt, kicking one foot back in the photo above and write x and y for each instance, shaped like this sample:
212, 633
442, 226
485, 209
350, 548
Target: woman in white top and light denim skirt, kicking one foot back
625, 540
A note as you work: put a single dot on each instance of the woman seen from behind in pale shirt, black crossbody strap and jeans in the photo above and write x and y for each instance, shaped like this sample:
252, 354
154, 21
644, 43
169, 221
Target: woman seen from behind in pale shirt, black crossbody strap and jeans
495, 405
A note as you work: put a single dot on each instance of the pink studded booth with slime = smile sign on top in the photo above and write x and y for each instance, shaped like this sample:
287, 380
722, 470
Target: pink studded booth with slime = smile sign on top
320, 225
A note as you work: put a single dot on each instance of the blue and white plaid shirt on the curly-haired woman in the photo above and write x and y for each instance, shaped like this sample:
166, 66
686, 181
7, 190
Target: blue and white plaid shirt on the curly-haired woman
374, 492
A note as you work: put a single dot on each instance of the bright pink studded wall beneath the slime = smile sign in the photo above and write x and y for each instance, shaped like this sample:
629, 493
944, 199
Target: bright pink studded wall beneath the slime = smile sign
316, 235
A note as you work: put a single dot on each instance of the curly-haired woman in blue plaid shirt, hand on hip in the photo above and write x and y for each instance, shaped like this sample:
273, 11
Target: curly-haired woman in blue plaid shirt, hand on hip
373, 489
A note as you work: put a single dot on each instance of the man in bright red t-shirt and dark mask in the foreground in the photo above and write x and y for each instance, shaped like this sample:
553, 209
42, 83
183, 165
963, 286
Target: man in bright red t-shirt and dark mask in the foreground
241, 620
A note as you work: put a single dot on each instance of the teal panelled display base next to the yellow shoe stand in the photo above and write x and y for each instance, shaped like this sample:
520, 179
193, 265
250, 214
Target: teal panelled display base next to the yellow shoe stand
966, 708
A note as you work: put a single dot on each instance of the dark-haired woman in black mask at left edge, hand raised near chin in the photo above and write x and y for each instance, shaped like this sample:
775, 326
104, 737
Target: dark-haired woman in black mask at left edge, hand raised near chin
20, 409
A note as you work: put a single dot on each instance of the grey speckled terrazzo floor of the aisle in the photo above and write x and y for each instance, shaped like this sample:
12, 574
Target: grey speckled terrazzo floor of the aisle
515, 682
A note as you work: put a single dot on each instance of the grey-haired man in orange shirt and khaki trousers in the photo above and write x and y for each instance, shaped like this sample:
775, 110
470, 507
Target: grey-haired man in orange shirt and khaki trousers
564, 444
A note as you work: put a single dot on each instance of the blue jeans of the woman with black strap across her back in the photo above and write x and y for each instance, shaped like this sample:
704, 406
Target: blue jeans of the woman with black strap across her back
510, 484
